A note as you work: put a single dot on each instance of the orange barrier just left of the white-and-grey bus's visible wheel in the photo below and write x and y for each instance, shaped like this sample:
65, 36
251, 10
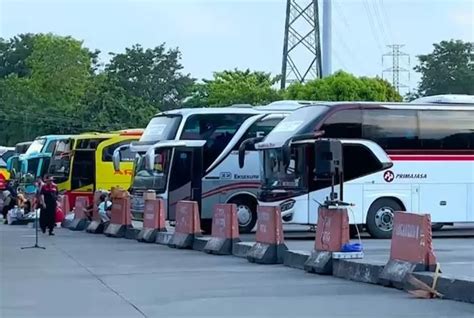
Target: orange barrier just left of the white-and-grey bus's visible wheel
225, 230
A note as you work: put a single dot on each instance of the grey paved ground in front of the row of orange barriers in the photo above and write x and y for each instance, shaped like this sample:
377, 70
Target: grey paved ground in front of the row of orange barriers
87, 275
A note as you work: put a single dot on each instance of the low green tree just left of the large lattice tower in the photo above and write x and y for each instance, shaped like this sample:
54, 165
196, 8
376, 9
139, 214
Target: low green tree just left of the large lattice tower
236, 87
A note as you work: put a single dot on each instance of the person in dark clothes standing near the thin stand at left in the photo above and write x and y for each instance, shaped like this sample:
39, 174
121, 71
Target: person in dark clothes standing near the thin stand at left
48, 200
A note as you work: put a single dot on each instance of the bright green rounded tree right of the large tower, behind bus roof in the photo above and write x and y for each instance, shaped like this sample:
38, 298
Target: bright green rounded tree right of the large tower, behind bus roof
342, 86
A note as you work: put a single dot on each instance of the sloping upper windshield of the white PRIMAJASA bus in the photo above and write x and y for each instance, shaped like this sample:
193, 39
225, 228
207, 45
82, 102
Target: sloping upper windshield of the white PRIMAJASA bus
294, 124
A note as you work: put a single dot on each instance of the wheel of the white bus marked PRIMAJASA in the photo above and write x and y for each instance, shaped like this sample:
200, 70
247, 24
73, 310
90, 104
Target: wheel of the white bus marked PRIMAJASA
380, 217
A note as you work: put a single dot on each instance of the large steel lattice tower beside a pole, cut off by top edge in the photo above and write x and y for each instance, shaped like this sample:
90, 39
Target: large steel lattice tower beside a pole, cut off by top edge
301, 46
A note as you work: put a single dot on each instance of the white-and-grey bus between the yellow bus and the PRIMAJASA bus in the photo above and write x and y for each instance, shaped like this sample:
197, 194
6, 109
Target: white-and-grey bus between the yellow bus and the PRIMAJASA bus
191, 154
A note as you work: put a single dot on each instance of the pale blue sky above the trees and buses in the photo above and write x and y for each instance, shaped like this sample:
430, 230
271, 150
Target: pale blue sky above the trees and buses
215, 35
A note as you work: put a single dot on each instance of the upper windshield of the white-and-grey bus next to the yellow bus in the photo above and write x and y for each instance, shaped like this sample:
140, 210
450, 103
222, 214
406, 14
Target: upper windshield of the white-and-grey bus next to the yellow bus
163, 127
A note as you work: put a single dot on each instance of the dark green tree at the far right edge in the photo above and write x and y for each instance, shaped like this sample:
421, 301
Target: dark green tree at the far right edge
449, 69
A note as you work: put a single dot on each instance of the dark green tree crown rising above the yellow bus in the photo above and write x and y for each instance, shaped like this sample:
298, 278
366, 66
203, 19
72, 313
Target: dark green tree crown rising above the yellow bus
153, 75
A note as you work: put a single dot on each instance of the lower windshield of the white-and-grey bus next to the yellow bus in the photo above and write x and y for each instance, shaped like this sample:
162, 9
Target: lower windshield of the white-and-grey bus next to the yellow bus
156, 179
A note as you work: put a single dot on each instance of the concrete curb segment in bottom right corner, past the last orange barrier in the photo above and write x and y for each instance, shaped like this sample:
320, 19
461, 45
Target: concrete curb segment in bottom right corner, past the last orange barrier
459, 289
